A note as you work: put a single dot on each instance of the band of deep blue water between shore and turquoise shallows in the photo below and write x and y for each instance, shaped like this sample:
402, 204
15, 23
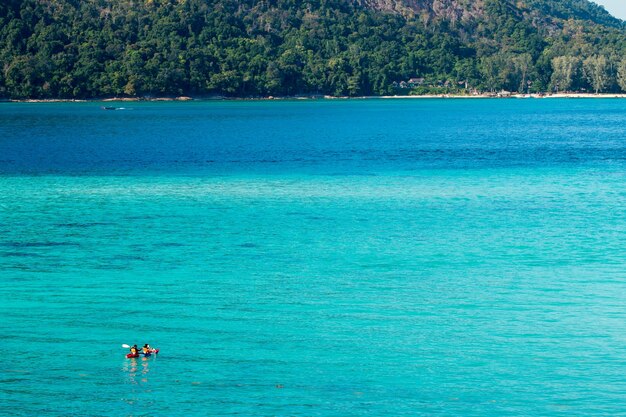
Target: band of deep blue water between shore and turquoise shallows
360, 137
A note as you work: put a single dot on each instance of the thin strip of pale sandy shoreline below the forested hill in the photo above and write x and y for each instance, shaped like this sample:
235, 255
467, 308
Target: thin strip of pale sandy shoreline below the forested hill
272, 98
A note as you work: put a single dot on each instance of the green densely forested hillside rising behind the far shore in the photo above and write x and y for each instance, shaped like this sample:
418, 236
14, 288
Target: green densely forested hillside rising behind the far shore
100, 48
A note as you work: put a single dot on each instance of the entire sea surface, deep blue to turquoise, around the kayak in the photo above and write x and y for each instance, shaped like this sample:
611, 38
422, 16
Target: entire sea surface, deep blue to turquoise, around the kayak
383, 258
